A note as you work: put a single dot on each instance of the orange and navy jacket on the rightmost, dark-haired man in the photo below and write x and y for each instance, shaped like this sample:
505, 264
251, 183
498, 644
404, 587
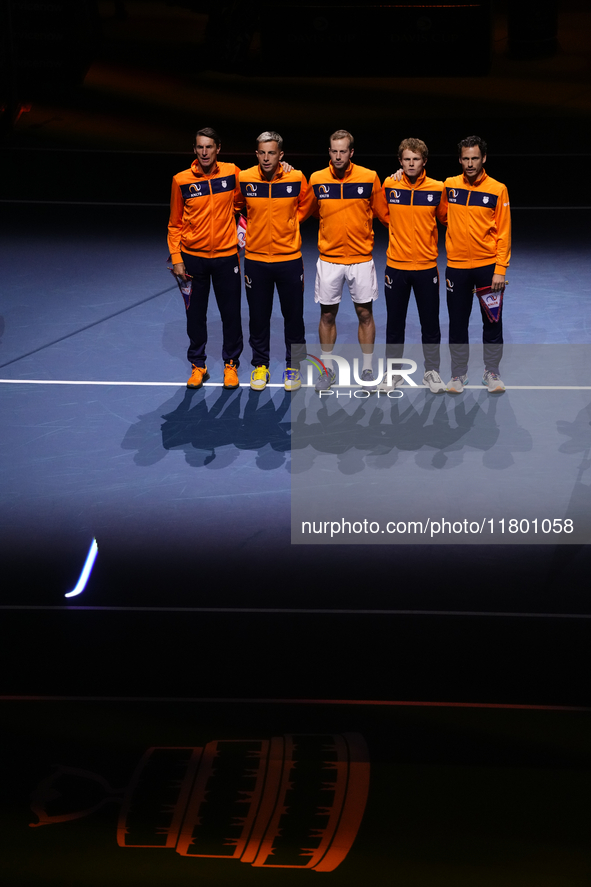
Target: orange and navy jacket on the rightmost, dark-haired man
478, 222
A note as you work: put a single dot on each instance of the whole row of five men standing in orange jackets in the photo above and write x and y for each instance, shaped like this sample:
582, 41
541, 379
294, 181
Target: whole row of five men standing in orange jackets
345, 198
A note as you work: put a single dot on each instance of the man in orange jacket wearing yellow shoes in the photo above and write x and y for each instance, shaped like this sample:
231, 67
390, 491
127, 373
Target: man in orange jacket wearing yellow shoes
273, 258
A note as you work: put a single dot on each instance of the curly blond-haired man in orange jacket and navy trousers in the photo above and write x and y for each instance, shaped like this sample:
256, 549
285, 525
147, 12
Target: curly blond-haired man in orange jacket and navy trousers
412, 201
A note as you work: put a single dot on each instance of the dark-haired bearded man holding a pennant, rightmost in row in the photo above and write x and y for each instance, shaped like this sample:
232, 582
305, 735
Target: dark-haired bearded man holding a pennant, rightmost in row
475, 209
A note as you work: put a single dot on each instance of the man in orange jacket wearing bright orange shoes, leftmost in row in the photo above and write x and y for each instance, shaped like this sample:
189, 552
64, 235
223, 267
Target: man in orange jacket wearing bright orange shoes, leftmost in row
203, 246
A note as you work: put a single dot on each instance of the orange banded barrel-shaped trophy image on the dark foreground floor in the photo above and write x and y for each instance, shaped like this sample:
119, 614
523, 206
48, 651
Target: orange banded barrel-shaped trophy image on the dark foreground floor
294, 801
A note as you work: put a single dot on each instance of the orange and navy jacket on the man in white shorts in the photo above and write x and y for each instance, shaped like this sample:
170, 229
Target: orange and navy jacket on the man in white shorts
346, 208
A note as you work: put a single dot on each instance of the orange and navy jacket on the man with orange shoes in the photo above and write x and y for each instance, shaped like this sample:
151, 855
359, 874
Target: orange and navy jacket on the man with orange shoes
202, 212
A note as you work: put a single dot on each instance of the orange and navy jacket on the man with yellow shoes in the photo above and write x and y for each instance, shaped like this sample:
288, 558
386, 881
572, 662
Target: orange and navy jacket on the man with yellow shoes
273, 227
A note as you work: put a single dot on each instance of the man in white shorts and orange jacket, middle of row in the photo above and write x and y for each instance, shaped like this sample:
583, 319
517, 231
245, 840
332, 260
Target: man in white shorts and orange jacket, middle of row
345, 197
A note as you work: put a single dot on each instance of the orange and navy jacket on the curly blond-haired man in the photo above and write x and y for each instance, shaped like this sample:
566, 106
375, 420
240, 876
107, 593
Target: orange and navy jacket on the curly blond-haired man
411, 219
